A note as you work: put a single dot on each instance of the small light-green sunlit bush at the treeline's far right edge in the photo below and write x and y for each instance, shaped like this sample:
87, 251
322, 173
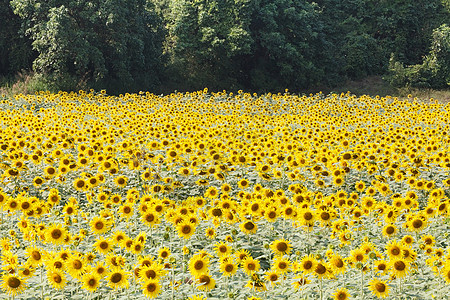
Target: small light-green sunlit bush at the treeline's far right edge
434, 72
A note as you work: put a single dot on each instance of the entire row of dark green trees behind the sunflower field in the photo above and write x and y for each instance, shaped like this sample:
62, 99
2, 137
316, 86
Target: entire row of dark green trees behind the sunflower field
258, 45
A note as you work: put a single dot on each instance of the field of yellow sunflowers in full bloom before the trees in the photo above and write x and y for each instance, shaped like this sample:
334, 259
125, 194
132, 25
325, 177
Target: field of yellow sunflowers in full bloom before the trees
224, 196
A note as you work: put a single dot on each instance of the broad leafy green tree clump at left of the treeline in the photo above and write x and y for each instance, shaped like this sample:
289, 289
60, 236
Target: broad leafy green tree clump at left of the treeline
96, 42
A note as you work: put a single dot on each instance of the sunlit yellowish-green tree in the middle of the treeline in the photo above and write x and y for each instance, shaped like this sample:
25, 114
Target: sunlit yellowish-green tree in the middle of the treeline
208, 40
